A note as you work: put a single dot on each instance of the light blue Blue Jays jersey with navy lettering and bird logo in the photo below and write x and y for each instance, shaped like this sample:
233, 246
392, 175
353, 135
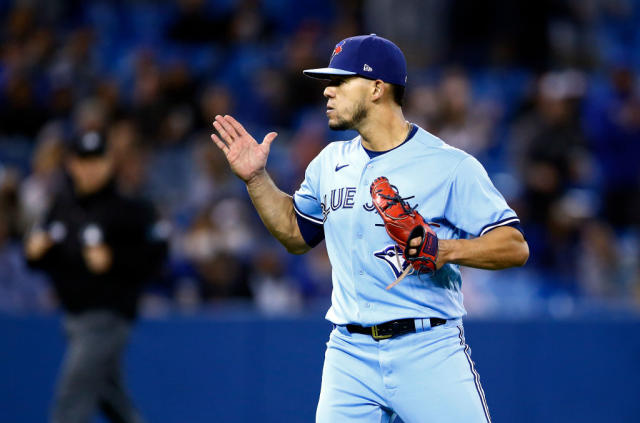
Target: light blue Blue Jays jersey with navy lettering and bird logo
448, 187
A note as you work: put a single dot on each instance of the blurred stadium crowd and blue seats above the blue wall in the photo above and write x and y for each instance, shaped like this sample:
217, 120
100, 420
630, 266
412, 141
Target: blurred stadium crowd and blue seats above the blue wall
546, 96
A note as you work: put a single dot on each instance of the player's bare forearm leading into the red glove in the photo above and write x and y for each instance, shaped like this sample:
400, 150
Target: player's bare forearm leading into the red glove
499, 249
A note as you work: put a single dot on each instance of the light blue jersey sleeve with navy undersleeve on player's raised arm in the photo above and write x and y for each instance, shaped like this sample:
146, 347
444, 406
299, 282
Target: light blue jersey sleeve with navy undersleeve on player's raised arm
307, 205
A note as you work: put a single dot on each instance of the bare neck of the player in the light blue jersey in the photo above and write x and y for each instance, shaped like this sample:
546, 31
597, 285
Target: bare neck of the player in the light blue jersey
385, 131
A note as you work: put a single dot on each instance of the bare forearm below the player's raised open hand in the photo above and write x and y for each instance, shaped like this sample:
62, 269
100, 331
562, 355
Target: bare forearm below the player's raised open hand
276, 211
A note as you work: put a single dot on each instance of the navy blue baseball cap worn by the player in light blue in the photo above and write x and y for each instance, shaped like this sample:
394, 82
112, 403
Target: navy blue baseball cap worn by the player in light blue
368, 56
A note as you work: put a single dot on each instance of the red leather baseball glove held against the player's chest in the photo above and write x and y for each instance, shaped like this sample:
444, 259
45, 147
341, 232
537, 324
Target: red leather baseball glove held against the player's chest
404, 223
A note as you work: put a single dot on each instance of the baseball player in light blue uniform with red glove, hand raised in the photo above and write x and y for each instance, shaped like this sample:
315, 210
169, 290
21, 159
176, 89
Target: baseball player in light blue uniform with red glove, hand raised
400, 210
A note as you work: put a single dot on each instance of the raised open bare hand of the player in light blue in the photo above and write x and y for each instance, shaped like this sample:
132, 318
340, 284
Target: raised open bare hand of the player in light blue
246, 157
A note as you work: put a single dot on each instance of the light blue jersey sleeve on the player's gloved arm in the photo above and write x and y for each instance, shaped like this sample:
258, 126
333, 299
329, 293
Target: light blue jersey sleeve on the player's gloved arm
475, 205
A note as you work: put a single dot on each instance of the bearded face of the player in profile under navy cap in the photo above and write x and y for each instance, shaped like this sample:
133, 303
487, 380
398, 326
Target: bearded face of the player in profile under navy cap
346, 102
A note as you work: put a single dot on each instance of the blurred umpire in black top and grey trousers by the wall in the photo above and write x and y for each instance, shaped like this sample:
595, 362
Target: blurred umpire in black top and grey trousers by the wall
98, 247
